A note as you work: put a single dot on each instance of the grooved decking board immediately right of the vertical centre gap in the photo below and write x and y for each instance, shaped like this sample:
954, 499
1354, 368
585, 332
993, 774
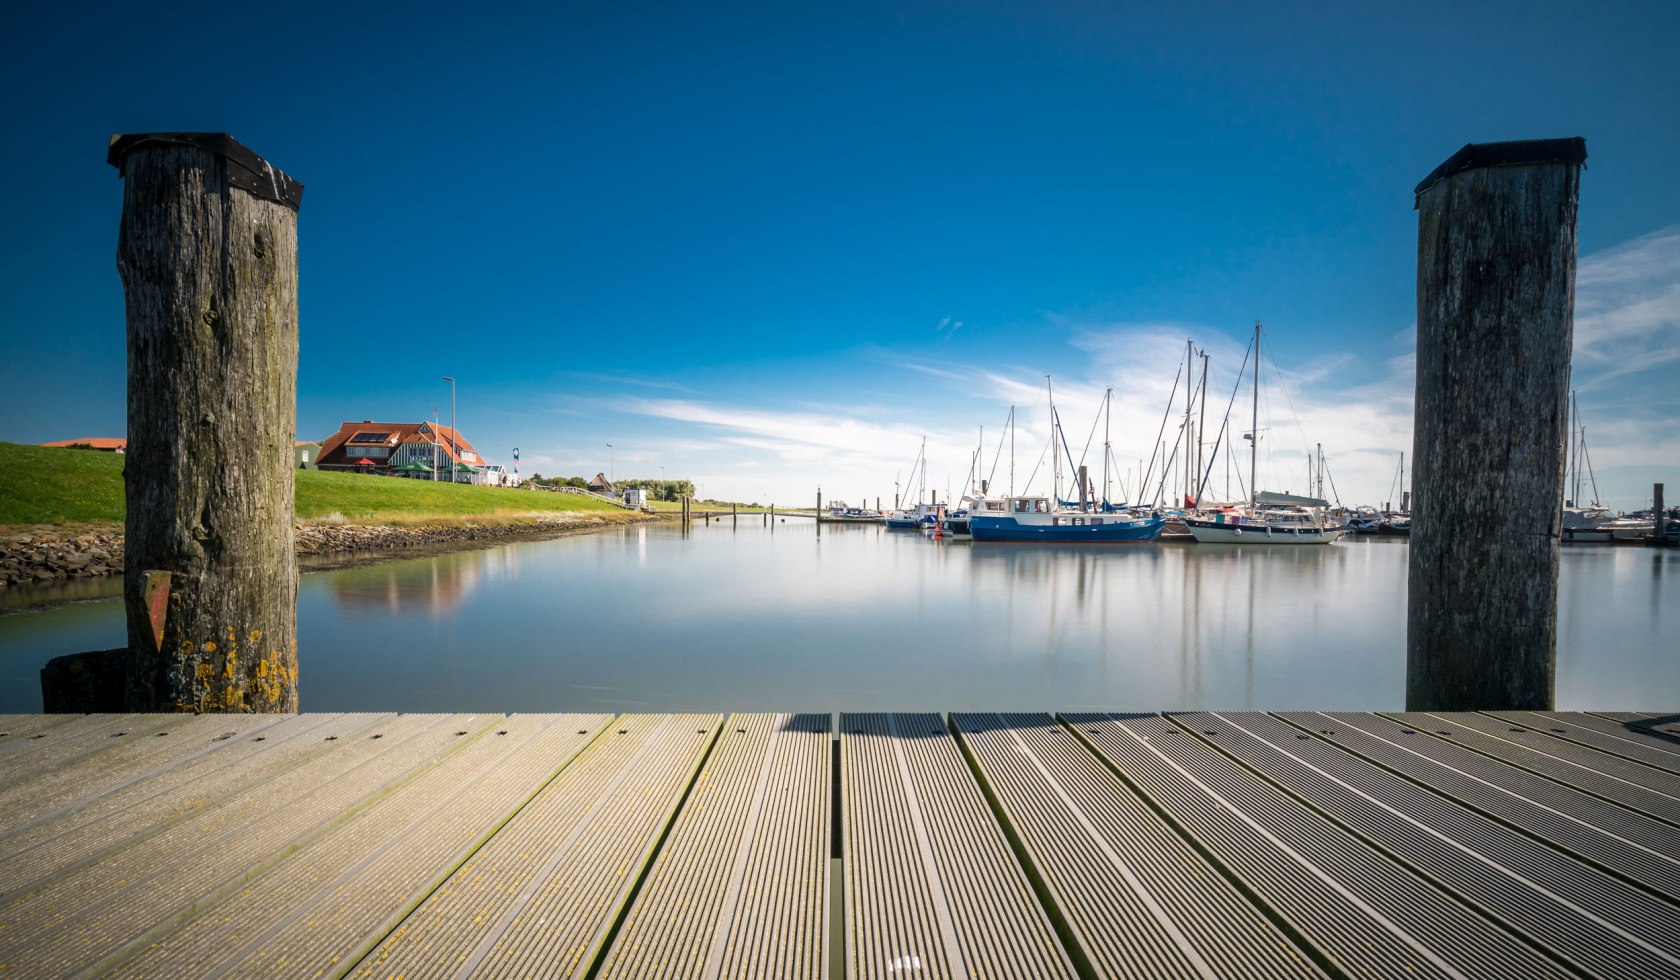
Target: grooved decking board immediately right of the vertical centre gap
932, 885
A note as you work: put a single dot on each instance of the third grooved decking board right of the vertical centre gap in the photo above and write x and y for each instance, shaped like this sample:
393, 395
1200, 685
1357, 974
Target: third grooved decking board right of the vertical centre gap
1365, 914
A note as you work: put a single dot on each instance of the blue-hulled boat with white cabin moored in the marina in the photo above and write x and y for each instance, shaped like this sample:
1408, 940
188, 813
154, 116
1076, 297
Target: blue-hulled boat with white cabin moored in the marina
1047, 519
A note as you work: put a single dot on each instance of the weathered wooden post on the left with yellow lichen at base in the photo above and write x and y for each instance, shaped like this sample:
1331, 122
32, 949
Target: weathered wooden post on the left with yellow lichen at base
209, 261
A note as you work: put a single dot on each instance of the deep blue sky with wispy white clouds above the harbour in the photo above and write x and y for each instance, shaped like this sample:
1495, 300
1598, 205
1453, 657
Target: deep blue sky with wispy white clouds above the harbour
772, 246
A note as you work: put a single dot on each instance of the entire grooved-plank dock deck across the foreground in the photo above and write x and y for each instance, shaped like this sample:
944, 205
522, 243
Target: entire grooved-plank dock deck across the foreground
871, 846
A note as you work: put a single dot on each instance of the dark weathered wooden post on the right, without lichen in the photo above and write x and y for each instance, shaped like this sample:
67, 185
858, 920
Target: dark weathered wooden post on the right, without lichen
1496, 319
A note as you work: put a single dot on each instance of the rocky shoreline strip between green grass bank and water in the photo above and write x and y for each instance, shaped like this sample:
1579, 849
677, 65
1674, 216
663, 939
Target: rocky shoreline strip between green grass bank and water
45, 557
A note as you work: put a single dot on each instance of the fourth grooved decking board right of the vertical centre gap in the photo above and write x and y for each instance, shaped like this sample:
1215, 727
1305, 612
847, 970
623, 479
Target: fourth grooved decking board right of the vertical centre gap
1577, 914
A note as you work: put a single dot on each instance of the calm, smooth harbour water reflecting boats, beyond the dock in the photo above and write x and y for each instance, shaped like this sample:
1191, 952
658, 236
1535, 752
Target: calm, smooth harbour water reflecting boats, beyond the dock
752, 618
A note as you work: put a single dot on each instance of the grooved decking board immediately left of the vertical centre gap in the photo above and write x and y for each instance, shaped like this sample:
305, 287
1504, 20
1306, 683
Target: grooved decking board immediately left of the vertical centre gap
742, 885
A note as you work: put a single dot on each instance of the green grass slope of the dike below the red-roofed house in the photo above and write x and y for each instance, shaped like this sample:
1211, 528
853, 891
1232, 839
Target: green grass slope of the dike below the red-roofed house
76, 487
